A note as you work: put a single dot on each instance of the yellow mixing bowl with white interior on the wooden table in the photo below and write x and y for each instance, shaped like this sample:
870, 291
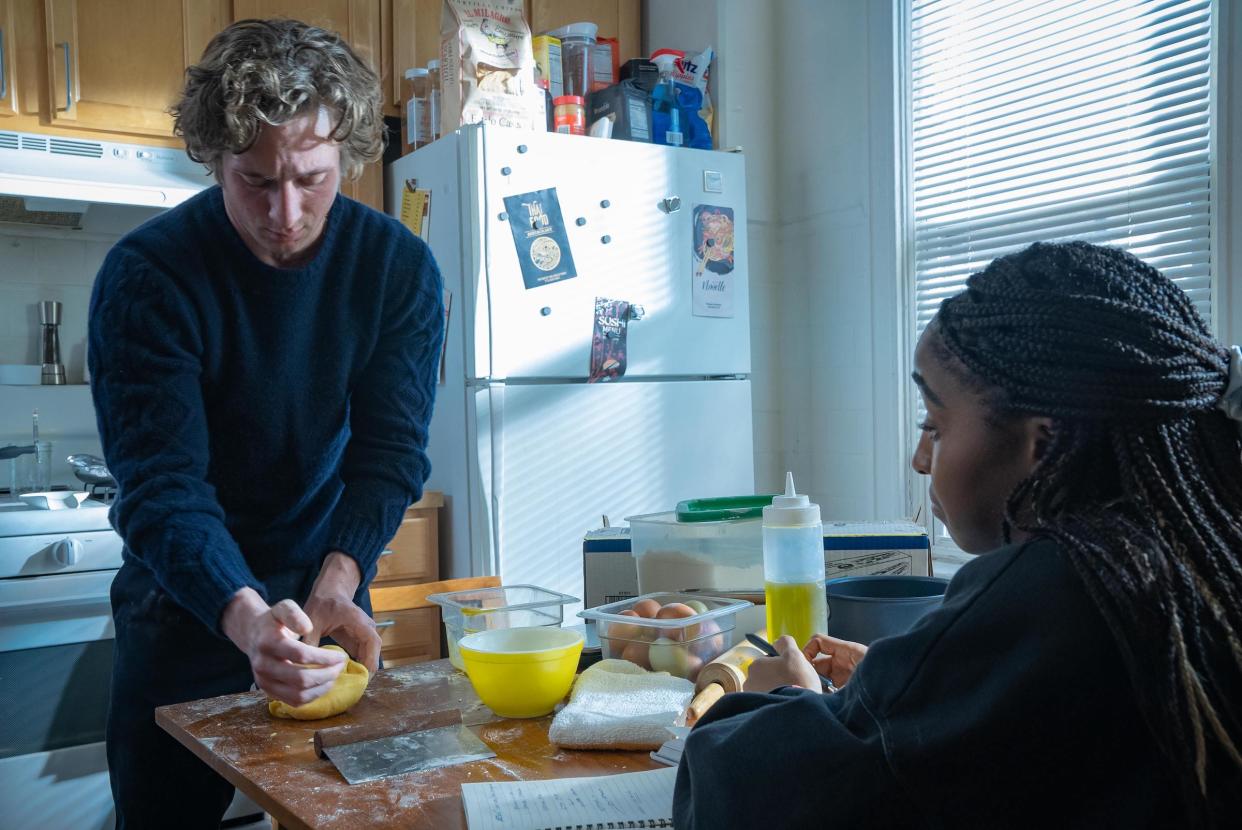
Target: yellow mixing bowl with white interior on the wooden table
522, 673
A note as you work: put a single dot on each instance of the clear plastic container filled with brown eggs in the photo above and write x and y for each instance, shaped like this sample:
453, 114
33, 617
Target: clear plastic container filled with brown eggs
678, 633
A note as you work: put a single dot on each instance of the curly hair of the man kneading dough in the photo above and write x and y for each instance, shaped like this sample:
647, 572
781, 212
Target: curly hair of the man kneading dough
269, 73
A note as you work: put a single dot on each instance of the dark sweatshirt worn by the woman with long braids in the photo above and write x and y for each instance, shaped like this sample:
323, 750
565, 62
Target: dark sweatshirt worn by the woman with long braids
1009, 706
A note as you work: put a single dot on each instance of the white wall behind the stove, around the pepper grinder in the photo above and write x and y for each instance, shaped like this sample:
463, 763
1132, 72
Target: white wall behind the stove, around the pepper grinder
33, 269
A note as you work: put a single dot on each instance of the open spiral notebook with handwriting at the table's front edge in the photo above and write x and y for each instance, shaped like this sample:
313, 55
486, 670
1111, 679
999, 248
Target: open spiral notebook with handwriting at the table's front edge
625, 801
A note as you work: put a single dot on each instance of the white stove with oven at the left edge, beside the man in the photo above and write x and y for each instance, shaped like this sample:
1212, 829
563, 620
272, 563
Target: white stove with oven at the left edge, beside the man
57, 637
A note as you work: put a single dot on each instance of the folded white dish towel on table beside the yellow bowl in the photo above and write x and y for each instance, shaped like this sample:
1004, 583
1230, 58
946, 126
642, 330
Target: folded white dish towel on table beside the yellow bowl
617, 705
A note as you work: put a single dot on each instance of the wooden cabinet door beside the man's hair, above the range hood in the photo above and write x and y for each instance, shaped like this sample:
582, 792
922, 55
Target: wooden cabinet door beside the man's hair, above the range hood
120, 66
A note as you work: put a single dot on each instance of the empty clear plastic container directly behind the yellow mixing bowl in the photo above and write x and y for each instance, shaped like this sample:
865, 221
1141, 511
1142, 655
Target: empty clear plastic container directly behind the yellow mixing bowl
509, 607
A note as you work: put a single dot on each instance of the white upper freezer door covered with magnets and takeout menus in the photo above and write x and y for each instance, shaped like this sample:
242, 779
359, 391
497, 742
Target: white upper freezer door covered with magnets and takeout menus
628, 243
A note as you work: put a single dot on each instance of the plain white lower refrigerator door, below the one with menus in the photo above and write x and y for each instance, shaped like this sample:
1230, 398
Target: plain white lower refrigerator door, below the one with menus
566, 455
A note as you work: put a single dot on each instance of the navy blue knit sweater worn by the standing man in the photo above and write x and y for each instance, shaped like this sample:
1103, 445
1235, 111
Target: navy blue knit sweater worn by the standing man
259, 418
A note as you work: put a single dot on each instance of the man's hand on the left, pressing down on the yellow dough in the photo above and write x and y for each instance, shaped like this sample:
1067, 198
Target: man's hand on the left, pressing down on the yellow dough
284, 668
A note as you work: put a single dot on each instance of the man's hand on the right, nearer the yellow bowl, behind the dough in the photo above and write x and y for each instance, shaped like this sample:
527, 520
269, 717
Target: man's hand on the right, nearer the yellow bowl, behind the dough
333, 614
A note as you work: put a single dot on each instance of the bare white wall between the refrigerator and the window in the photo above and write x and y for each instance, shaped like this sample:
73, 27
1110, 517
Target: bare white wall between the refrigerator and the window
807, 89
